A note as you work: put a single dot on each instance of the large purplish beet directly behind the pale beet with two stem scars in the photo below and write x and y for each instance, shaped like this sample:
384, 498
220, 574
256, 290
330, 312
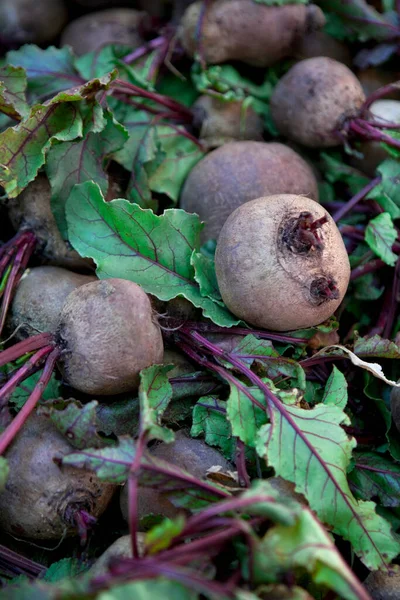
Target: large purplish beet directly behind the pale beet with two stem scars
241, 171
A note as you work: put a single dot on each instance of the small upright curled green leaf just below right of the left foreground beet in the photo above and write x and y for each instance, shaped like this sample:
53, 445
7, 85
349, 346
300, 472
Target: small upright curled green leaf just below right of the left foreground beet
155, 393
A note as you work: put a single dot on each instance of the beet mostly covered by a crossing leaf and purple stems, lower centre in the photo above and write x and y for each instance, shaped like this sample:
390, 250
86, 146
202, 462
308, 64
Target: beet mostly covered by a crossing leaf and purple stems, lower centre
194, 456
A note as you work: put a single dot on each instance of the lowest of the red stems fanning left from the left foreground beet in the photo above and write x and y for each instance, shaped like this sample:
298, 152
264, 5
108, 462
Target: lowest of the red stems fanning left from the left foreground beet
14, 427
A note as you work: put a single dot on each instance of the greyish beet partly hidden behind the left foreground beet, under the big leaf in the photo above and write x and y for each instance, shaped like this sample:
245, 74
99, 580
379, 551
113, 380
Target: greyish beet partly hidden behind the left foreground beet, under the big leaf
39, 299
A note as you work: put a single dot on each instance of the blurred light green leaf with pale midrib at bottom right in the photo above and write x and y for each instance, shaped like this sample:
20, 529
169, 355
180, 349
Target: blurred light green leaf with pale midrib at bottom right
305, 545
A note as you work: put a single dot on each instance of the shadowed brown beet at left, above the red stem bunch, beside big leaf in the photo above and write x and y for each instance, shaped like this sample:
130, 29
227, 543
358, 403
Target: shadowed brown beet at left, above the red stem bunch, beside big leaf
31, 210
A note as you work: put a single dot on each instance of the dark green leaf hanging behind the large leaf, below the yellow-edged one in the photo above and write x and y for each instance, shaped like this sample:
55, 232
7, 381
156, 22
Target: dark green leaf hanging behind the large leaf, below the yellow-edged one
69, 163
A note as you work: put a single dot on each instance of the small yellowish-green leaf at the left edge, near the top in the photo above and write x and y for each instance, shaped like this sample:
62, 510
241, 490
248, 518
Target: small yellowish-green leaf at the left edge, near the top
12, 92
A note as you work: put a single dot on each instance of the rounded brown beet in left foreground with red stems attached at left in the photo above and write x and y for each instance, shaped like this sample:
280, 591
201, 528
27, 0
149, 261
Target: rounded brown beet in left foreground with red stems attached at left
107, 334
